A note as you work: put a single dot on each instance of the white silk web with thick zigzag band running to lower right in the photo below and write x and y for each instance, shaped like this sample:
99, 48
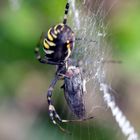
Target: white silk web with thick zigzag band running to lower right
93, 55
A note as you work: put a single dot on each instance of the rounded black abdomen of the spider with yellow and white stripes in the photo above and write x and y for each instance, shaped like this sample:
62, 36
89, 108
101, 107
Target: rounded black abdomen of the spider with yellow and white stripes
59, 42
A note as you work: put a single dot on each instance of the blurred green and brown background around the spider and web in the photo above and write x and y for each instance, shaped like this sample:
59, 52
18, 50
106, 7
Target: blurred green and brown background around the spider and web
24, 81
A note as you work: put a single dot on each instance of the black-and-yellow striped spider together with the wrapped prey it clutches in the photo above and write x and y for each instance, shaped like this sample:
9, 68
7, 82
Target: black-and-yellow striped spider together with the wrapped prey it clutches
58, 44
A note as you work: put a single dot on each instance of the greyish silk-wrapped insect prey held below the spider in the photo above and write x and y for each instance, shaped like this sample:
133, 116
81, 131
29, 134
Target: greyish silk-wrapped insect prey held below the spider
74, 88
